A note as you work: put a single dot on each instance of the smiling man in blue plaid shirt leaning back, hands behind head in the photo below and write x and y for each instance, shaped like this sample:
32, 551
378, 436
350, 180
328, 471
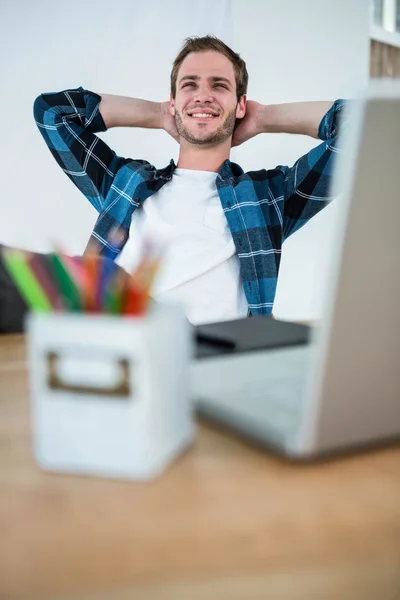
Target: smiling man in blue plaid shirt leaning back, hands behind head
225, 227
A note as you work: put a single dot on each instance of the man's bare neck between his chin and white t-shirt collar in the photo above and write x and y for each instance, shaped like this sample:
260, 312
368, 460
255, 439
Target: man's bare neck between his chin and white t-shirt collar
203, 158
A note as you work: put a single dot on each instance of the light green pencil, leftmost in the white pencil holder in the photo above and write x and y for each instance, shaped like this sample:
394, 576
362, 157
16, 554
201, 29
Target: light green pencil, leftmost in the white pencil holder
25, 280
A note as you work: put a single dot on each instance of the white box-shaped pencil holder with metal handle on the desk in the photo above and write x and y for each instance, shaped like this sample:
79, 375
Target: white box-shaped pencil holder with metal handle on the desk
110, 395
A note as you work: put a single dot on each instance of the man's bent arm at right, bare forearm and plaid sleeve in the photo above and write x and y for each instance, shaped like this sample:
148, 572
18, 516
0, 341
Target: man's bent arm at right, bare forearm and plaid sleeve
302, 190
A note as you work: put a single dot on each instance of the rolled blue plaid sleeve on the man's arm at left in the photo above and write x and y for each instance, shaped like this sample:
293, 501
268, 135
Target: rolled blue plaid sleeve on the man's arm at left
68, 122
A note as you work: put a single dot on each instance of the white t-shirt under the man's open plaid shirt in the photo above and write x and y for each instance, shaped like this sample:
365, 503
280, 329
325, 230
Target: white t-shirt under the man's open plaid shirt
200, 269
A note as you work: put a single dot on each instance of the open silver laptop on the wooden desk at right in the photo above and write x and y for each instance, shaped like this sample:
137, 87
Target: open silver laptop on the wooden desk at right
339, 387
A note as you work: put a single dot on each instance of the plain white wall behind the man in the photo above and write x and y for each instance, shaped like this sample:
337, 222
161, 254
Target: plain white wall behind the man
294, 50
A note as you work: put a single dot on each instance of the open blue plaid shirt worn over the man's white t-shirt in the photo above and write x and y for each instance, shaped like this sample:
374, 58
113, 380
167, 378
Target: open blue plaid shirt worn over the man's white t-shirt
262, 208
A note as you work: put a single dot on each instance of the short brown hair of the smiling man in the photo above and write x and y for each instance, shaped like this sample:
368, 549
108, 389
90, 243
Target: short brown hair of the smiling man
212, 43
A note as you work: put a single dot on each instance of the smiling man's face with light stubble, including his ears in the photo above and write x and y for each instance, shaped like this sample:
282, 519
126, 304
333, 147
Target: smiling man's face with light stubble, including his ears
205, 105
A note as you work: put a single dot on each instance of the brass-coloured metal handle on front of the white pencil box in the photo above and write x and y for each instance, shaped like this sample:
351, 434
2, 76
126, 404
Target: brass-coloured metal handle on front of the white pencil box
54, 381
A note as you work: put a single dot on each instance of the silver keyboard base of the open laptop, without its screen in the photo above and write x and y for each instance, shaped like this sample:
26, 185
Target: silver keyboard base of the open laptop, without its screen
263, 398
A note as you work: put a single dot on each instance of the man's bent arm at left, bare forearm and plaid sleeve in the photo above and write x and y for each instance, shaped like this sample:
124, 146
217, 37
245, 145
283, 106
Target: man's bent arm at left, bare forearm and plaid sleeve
69, 121
